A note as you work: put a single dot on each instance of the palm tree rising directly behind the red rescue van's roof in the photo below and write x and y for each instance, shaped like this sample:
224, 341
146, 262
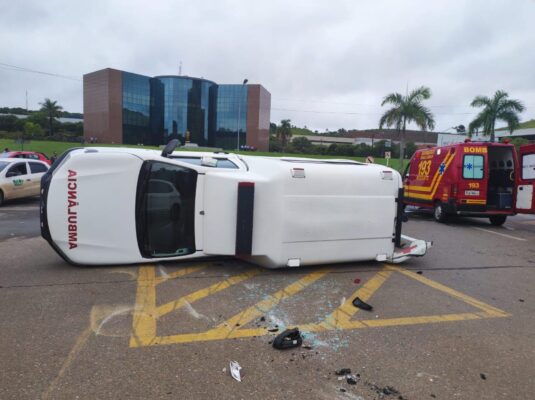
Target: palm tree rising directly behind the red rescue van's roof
499, 107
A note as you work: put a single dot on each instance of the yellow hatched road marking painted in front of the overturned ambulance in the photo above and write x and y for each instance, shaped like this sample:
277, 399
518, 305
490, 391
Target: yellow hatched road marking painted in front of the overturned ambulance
147, 313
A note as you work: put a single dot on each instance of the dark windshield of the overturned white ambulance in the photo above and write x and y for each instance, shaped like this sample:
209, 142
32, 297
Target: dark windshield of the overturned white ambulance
165, 207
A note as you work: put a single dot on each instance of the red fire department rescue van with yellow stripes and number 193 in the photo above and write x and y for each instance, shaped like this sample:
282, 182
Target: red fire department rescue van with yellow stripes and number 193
476, 179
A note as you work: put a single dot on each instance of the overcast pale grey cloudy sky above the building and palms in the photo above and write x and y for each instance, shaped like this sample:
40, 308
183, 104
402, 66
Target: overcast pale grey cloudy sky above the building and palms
327, 64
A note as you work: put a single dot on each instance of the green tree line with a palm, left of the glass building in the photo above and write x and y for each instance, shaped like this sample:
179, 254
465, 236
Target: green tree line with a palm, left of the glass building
40, 124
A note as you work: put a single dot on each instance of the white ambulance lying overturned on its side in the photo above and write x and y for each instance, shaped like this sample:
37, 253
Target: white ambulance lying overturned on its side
121, 206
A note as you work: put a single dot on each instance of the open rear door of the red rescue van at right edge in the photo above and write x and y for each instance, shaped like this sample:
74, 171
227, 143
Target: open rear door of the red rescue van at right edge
525, 181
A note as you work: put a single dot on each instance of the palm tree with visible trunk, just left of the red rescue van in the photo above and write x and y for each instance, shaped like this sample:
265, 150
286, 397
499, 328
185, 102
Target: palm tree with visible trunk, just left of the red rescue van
407, 109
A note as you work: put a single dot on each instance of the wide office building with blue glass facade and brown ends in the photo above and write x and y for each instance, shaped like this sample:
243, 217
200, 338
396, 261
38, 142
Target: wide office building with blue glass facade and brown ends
124, 107
